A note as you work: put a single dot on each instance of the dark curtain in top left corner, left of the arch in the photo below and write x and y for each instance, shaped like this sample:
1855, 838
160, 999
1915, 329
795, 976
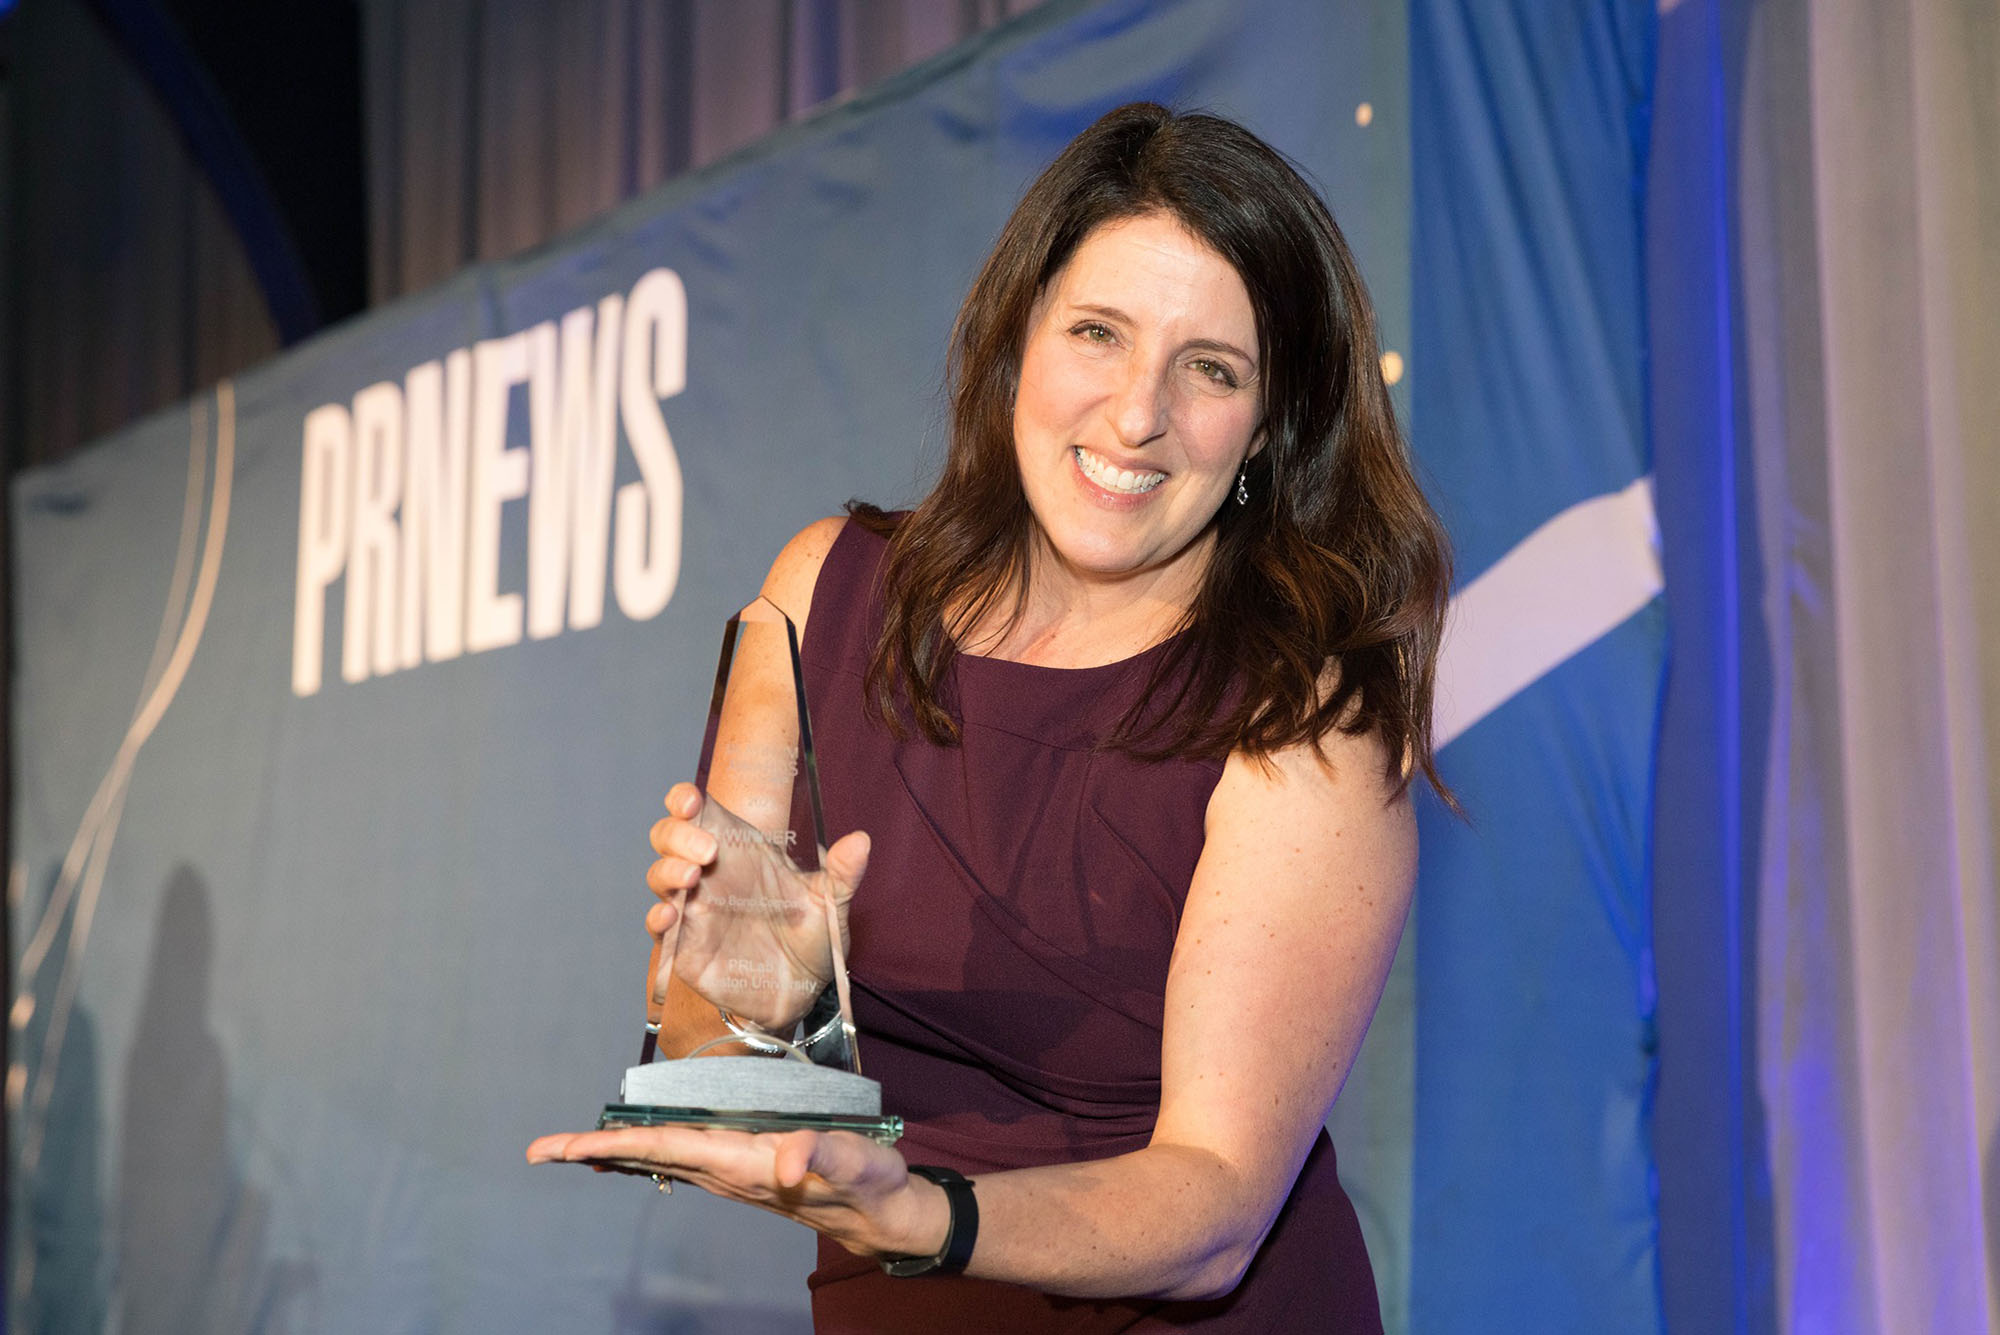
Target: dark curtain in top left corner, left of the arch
129, 281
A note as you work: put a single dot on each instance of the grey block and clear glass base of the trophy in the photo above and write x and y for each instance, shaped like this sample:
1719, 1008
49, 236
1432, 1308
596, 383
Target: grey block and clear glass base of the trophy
751, 1094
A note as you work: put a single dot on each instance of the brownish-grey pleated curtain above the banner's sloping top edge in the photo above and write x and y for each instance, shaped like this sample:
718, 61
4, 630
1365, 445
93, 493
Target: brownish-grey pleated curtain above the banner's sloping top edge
501, 125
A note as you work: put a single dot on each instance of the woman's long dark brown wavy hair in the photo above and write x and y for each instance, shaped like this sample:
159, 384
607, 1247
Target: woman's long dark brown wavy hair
1337, 559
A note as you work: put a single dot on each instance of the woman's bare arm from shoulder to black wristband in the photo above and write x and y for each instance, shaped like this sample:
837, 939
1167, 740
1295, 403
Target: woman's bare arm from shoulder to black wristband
1285, 944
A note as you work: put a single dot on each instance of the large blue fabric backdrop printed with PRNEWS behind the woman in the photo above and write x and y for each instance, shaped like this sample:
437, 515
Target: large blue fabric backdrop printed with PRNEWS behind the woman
347, 694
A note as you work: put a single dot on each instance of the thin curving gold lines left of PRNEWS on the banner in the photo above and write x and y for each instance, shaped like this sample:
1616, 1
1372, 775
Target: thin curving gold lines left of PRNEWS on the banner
93, 842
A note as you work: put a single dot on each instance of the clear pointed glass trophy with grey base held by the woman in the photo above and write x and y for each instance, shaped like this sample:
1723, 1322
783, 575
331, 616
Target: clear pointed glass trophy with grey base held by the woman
761, 940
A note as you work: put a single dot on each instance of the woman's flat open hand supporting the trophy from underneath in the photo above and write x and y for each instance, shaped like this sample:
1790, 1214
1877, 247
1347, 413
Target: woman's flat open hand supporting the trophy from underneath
851, 1188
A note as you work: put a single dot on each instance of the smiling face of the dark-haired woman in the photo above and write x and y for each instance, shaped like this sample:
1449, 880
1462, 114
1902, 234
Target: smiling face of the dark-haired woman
1139, 401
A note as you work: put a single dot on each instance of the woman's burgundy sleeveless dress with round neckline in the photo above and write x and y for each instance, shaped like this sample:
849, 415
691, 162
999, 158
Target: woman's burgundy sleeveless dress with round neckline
1009, 962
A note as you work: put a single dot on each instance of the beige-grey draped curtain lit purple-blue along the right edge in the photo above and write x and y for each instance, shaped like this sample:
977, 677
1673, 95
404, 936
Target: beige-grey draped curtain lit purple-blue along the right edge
1869, 235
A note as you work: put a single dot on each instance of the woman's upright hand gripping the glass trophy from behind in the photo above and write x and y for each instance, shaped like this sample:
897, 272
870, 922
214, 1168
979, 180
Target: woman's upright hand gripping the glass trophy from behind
737, 920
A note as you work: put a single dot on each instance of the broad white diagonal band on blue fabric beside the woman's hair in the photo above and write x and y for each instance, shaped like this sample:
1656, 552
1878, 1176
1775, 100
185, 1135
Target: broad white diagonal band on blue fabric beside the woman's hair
1559, 591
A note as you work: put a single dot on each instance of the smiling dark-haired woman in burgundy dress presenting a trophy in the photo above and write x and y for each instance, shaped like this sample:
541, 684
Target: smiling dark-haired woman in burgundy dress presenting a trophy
1125, 718
